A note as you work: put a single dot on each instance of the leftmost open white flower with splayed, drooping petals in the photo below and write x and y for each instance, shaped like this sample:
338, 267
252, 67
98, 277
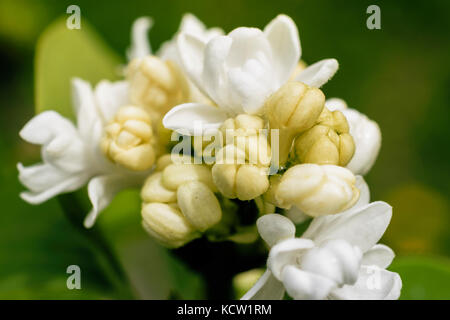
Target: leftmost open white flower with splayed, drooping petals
71, 155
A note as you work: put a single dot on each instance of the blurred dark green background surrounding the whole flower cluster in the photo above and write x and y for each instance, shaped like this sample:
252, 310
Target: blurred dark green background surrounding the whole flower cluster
398, 76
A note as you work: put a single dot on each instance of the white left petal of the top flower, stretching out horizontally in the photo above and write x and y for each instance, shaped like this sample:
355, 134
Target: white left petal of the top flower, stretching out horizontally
194, 118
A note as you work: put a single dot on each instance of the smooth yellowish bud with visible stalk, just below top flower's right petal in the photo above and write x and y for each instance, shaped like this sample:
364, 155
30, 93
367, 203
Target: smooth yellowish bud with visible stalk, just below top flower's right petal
293, 109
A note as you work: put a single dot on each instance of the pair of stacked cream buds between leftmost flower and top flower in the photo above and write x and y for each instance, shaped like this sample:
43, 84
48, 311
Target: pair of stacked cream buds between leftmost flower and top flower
136, 137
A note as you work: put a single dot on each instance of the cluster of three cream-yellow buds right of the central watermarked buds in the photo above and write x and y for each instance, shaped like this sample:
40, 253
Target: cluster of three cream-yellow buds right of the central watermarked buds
322, 145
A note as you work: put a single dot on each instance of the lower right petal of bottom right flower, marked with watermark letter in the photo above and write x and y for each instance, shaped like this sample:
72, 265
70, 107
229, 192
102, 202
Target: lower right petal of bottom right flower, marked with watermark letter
373, 283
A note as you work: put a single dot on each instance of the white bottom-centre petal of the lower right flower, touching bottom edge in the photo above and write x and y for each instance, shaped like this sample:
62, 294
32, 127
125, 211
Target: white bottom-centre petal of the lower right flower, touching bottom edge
302, 285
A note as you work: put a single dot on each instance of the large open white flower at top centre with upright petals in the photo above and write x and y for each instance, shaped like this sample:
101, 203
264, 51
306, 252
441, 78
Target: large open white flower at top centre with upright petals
239, 71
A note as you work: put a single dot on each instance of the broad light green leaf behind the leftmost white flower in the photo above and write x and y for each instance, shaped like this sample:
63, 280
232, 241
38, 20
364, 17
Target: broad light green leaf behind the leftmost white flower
62, 54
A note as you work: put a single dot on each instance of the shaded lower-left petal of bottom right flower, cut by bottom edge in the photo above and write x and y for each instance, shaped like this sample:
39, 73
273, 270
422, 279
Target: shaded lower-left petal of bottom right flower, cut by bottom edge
266, 288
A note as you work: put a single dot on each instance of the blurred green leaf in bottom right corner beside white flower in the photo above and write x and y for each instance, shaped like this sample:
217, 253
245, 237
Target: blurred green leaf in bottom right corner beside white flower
423, 277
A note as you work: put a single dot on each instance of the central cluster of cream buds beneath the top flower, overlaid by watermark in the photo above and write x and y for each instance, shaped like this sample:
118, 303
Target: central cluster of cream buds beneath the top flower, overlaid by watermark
241, 168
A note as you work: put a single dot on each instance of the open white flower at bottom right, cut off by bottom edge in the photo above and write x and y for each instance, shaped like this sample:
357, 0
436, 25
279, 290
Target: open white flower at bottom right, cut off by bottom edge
336, 258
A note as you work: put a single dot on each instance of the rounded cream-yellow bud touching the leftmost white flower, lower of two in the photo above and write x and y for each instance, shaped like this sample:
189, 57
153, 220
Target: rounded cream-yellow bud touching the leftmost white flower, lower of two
128, 139
